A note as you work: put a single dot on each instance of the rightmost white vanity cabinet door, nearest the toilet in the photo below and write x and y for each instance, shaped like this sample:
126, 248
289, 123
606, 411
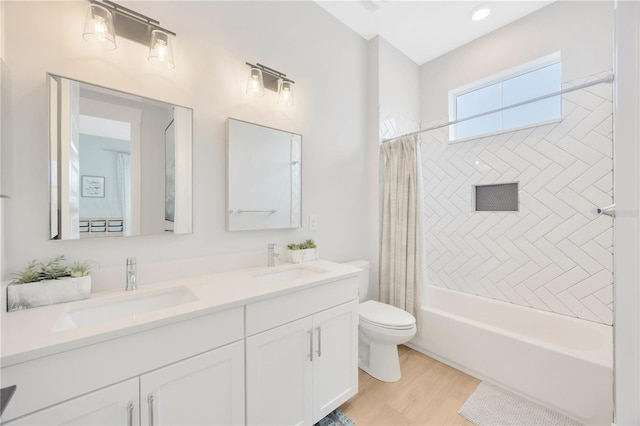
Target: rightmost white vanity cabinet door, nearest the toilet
335, 364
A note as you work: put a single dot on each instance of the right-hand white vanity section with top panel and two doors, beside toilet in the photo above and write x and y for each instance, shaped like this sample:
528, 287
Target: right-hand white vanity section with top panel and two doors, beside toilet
300, 368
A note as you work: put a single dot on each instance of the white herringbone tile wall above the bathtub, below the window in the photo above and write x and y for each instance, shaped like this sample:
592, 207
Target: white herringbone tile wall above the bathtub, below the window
553, 254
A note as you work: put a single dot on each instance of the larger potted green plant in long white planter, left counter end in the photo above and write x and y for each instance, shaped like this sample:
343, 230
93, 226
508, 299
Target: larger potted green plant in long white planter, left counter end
48, 283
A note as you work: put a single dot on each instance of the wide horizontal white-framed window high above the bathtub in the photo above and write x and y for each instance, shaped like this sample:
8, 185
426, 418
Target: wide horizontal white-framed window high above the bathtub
526, 82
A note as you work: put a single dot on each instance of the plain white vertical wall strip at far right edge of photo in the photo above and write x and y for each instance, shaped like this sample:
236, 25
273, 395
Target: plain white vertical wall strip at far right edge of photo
627, 229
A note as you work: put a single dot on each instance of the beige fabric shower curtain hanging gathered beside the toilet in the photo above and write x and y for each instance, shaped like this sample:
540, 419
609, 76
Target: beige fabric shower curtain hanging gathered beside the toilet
401, 245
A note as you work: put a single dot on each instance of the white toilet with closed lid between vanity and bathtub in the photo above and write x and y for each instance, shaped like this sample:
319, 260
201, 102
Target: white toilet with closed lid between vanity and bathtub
382, 328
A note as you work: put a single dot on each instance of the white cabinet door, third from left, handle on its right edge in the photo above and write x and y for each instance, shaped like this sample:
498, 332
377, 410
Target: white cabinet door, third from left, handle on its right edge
279, 375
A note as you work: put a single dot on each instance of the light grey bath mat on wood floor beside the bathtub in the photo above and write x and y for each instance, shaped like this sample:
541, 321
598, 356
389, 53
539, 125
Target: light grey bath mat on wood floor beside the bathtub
491, 405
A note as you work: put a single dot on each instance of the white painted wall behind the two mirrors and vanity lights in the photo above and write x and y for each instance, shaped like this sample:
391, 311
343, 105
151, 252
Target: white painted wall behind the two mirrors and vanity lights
326, 60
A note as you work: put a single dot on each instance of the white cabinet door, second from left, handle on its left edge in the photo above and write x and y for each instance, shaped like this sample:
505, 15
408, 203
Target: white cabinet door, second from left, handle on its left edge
207, 389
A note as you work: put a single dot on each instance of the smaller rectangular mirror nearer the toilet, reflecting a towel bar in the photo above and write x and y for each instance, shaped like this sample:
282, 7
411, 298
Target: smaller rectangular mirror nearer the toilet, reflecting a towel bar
264, 172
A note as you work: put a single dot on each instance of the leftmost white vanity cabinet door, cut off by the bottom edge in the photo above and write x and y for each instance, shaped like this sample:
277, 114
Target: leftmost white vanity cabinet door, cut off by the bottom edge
114, 405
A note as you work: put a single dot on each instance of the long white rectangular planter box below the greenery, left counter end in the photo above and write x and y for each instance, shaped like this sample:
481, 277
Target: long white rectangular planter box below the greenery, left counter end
48, 292
